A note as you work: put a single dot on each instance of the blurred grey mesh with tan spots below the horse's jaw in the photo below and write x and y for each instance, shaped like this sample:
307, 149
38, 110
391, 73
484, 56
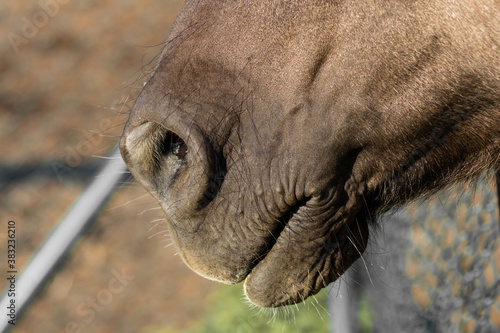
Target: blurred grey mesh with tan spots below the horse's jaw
433, 266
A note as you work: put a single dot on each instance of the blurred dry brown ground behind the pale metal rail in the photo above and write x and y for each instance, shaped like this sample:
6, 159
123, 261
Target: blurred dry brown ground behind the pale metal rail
69, 77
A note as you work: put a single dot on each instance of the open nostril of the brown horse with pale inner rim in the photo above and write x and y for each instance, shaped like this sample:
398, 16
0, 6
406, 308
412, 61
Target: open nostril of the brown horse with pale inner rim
170, 159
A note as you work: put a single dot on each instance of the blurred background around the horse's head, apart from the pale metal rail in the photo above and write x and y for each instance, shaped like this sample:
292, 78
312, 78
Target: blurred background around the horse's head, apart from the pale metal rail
69, 73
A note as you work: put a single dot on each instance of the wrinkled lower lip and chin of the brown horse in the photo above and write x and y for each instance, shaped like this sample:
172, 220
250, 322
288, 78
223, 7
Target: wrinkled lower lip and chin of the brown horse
297, 267
